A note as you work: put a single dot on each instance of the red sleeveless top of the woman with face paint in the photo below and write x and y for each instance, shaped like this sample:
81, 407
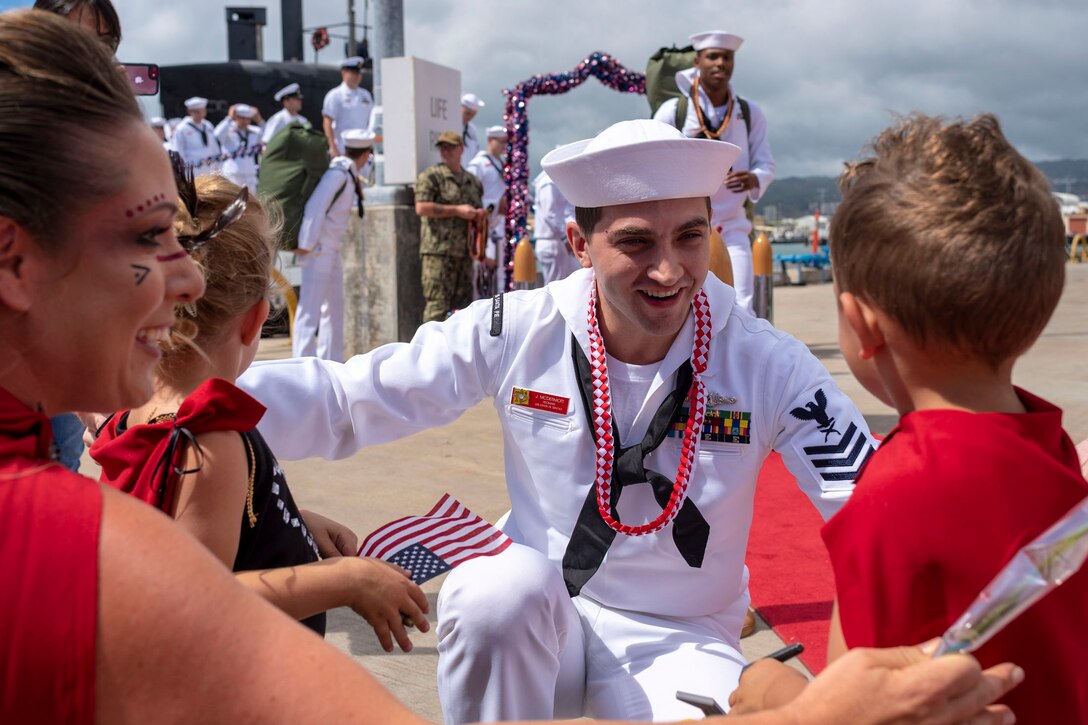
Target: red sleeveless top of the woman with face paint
50, 524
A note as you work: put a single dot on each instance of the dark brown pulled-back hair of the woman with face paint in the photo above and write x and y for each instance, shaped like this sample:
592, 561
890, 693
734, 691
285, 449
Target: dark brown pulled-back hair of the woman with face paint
60, 95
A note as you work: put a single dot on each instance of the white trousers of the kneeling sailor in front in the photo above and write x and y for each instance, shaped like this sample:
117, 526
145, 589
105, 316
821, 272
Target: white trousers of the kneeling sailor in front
513, 646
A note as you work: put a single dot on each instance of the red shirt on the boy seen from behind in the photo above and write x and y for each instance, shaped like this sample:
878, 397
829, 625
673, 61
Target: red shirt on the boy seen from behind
945, 503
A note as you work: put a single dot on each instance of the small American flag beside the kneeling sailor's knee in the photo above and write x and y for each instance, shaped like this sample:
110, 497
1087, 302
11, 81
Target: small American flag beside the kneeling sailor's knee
435, 544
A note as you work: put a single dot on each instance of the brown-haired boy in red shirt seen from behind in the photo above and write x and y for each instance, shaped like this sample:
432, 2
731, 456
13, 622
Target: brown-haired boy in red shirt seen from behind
948, 253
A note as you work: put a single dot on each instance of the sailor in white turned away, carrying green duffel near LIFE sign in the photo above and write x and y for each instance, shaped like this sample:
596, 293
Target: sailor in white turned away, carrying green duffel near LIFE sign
320, 310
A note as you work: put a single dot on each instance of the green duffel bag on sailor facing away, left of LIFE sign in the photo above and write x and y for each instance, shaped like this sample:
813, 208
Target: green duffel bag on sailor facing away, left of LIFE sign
294, 162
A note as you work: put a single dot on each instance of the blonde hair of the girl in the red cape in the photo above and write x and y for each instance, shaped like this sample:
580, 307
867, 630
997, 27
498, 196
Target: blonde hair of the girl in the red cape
237, 265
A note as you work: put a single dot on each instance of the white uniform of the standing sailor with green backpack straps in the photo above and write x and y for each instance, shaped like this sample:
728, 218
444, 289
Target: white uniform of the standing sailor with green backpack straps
728, 216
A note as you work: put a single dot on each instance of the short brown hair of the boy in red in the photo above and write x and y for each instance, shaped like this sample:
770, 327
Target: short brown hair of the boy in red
954, 235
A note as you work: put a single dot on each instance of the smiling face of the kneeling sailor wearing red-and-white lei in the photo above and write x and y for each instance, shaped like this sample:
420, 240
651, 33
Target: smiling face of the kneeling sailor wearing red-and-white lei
650, 261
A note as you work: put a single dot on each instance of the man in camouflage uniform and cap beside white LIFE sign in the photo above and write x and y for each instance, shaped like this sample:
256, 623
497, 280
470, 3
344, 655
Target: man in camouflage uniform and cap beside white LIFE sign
448, 199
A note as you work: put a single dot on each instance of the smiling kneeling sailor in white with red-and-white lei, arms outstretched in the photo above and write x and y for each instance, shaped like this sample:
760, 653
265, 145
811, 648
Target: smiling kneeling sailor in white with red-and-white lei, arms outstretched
634, 396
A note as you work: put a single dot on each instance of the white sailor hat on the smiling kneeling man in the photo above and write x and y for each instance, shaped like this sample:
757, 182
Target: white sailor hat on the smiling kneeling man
636, 162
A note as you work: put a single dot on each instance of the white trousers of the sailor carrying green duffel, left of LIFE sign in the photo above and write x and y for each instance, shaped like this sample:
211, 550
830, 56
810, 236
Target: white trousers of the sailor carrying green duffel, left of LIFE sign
320, 308
